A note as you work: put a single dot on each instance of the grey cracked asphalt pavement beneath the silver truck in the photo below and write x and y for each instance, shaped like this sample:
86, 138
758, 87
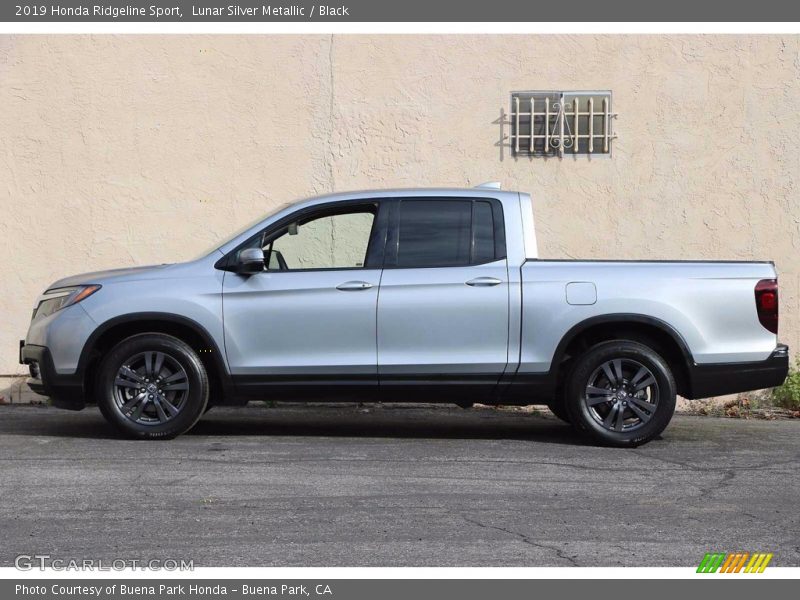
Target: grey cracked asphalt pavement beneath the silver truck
395, 486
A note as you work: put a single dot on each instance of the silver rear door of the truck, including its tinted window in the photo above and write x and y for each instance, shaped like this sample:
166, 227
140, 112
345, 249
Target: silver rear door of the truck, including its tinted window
443, 306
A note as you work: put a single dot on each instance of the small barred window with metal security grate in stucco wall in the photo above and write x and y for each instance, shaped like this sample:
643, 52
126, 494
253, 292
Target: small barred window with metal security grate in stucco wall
558, 123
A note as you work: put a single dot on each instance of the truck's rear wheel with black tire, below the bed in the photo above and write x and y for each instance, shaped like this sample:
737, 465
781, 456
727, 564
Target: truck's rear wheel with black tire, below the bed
609, 405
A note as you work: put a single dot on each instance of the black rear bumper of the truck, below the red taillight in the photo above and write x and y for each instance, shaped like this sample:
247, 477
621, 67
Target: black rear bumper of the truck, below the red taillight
708, 380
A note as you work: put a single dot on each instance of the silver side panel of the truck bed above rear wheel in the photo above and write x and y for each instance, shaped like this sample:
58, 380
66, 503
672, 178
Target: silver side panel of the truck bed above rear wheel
710, 305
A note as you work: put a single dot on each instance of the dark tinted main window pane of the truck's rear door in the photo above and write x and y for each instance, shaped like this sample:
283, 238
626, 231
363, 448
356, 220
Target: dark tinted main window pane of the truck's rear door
434, 233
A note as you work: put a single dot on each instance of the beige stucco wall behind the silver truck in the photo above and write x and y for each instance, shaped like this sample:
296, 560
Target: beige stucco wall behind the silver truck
131, 150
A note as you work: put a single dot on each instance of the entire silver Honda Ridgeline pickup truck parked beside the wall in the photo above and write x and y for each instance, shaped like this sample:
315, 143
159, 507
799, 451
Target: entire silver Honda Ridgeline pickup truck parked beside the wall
434, 295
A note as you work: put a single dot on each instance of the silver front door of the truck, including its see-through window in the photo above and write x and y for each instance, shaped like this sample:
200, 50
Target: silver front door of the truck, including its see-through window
308, 322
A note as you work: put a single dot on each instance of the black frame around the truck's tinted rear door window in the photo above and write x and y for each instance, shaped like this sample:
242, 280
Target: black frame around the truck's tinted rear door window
392, 244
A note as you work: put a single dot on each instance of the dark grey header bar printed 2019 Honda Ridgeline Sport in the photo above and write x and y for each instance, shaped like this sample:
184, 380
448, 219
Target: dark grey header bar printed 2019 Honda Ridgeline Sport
516, 11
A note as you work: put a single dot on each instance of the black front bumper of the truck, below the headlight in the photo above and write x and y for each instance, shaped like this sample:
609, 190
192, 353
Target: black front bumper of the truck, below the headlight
65, 391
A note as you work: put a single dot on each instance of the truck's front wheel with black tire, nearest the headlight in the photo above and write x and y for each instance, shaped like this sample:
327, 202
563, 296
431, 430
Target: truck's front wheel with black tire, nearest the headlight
179, 386
